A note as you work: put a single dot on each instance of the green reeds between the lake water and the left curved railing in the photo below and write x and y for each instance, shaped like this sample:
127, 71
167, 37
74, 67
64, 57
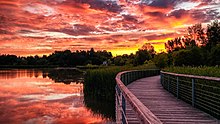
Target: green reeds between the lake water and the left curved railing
102, 81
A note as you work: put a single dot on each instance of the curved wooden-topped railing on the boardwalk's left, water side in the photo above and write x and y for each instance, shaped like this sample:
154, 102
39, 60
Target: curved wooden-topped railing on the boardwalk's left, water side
123, 95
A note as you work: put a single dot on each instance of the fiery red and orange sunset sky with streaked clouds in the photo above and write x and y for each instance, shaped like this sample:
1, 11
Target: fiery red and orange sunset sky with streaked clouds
37, 27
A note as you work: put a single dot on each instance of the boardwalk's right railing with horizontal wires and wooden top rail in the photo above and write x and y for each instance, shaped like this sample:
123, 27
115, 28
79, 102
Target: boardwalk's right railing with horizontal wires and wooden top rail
200, 91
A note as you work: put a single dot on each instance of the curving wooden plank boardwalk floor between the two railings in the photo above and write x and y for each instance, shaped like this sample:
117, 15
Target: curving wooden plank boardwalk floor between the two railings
164, 105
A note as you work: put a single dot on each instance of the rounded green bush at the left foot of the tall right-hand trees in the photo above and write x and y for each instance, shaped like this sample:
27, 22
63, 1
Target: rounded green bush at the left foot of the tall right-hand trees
161, 60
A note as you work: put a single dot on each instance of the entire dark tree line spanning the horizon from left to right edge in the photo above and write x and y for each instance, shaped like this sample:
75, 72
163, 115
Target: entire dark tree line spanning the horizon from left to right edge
198, 47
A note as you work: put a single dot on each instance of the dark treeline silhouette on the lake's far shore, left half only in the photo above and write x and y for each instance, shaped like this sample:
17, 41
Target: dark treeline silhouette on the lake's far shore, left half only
59, 58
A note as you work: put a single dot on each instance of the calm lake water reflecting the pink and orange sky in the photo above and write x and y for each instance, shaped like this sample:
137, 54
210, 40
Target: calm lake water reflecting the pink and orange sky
33, 97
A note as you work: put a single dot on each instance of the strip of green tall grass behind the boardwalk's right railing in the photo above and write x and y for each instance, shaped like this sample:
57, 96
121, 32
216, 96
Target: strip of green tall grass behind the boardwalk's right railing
201, 71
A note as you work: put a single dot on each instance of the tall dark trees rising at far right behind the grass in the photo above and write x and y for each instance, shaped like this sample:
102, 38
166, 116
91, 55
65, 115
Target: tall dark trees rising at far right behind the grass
198, 48
